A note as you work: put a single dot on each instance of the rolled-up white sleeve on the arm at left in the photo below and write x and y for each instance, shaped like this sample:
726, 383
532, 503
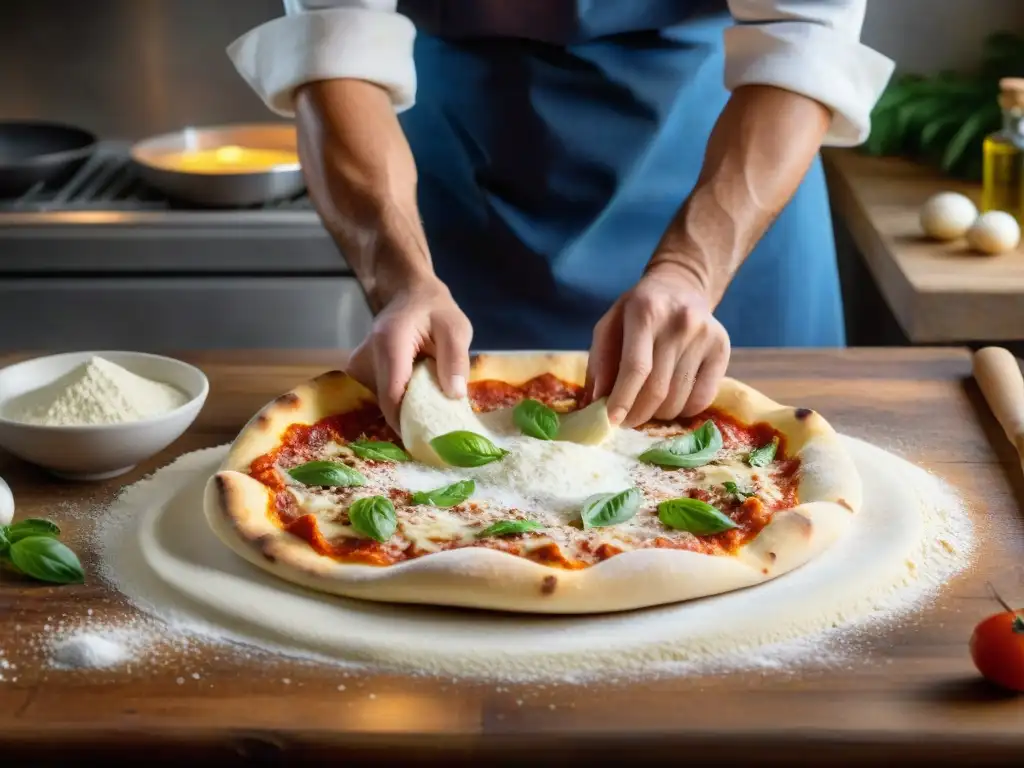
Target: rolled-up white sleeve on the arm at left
327, 40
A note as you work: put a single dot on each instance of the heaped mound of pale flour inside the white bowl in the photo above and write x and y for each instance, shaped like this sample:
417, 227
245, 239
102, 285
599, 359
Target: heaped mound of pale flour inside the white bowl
97, 393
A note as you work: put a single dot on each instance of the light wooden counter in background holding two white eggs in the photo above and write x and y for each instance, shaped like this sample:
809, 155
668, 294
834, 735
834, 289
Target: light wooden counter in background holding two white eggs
940, 293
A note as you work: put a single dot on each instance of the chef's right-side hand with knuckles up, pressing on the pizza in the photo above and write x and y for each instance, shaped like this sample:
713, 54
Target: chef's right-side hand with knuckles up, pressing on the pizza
659, 353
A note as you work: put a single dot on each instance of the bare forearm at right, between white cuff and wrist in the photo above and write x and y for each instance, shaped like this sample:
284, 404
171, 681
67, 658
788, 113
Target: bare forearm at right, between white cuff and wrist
758, 154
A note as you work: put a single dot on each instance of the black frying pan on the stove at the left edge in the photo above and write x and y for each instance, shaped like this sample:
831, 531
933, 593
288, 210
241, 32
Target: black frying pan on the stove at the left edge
33, 152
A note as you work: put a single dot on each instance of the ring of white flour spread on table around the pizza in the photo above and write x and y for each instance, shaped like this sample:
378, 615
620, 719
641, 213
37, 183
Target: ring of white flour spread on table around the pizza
769, 635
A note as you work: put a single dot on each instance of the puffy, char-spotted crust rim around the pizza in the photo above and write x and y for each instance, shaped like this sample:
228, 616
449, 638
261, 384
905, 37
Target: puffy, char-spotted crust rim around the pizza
236, 508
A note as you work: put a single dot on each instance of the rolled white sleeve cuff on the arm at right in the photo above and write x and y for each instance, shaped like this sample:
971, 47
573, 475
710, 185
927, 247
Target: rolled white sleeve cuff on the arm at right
817, 62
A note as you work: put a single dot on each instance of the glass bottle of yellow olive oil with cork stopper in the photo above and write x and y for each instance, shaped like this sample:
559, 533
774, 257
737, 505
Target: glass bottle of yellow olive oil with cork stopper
1003, 187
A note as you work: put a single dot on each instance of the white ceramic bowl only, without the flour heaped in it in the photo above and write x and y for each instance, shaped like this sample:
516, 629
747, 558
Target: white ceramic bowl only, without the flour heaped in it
97, 452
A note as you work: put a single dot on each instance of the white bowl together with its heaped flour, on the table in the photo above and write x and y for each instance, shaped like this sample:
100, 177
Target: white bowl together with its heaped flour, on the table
92, 416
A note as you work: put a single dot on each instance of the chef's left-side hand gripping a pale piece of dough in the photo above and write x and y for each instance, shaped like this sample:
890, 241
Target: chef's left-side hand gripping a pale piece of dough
422, 319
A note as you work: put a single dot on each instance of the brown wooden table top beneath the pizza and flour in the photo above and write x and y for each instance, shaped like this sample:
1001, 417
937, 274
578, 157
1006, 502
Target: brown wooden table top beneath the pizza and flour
915, 697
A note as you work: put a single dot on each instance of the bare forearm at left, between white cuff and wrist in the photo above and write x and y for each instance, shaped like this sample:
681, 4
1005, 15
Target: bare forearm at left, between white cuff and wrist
362, 180
